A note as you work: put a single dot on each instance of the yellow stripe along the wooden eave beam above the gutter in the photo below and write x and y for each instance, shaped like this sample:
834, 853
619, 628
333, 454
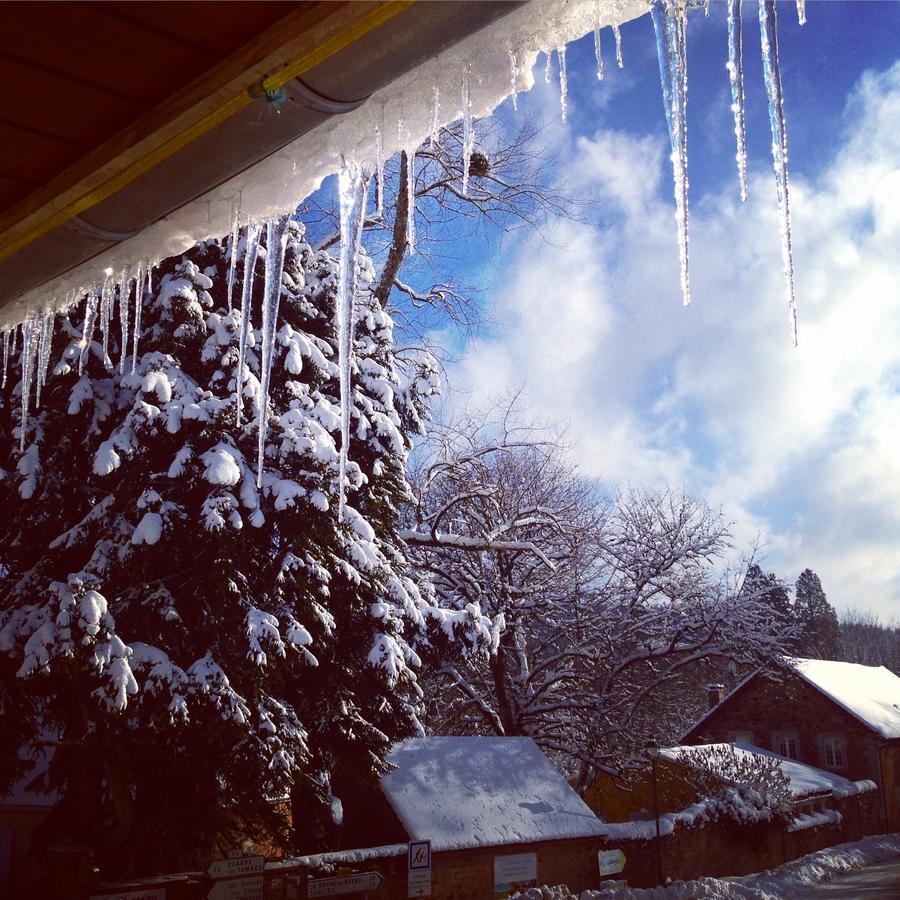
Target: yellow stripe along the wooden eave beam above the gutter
154, 157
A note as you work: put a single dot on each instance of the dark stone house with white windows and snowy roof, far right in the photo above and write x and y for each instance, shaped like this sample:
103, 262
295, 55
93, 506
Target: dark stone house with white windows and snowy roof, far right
837, 716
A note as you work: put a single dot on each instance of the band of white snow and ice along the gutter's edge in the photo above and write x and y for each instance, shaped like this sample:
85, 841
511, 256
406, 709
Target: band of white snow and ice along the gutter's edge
280, 182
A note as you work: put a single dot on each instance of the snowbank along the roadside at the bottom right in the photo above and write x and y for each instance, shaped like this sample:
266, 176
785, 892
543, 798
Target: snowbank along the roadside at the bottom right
788, 880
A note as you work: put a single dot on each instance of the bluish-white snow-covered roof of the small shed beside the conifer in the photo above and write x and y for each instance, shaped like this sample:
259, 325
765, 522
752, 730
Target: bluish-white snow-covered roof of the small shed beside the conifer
462, 792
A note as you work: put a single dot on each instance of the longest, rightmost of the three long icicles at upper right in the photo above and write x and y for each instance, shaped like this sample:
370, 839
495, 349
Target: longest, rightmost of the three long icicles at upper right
768, 28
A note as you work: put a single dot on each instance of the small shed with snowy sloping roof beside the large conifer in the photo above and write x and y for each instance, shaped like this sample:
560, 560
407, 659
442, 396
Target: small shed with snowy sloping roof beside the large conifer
497, 812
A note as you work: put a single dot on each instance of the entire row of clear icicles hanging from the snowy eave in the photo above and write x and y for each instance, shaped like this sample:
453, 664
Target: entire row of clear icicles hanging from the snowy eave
669, 19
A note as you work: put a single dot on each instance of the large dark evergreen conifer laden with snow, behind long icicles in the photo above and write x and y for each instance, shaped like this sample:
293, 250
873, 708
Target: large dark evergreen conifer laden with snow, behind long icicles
190, 646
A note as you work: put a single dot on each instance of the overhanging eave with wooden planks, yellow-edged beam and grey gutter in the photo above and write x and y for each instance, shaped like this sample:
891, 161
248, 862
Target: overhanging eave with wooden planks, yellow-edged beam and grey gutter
116, 114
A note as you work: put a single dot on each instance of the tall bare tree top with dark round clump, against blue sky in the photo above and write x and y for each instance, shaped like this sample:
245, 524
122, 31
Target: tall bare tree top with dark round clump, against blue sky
507, 190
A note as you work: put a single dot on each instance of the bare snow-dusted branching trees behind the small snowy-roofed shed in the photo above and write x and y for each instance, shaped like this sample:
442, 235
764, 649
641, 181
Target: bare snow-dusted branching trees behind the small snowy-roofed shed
602, 607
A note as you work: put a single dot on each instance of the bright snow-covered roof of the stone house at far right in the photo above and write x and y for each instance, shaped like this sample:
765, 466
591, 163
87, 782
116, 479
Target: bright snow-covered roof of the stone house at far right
870, 694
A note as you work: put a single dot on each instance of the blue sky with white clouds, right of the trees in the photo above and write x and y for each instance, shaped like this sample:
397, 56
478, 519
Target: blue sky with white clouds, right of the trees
799, 447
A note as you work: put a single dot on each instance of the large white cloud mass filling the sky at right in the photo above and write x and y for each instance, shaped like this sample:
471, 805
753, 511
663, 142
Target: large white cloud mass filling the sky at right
801, 445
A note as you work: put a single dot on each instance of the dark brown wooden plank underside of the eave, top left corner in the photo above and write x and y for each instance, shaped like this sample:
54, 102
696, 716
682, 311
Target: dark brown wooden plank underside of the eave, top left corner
75, 74
